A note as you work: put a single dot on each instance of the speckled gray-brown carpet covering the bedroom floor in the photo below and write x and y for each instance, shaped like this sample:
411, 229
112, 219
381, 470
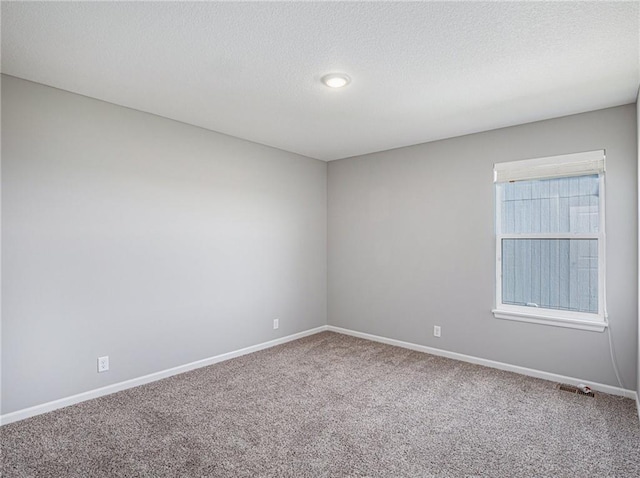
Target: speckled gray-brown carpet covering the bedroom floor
331, 405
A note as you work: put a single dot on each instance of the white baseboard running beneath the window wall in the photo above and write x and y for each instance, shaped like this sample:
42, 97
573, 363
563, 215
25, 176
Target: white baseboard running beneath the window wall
601, 387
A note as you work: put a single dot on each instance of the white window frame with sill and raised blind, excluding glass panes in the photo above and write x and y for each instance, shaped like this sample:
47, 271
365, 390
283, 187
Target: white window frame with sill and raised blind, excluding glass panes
569, 165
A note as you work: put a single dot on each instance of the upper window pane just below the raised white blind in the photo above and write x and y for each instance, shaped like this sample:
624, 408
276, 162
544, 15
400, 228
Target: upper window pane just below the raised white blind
563, 205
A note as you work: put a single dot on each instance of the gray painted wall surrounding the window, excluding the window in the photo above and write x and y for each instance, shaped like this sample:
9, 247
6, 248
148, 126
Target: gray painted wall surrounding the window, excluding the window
411, 245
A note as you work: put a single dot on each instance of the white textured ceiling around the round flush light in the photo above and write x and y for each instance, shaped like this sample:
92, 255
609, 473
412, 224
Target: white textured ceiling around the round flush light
420, 71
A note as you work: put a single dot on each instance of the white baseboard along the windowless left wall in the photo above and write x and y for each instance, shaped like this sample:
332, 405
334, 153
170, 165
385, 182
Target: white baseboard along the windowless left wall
152, 377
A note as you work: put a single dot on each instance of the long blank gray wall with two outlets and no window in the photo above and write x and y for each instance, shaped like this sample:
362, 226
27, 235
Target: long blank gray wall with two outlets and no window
151, 241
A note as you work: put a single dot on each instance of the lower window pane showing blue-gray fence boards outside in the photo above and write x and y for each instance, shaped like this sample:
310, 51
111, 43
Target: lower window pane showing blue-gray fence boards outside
551, 273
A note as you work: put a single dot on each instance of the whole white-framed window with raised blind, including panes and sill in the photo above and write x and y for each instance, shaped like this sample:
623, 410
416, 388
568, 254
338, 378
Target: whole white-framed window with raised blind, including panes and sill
550, 241
